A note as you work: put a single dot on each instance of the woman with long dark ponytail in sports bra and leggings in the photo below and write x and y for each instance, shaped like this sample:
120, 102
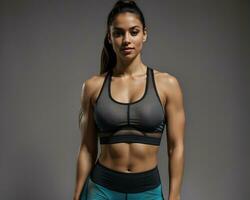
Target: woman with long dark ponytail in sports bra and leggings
126, 106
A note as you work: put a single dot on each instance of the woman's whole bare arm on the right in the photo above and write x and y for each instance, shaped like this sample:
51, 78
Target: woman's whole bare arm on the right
175, 136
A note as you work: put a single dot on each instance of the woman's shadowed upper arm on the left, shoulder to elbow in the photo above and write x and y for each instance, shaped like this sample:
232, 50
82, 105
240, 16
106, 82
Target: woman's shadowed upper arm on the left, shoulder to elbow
86, 120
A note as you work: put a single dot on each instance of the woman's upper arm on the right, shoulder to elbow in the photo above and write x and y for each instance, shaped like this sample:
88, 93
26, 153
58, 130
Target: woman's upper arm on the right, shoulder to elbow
175, 114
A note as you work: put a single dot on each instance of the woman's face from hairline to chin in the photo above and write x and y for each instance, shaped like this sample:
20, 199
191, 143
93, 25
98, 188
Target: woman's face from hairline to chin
126, 31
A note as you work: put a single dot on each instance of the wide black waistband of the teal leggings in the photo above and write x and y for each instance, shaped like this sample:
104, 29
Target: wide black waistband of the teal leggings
125, 182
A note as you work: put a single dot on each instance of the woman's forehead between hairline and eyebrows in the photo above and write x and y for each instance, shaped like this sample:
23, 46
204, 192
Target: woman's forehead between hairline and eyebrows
126, 20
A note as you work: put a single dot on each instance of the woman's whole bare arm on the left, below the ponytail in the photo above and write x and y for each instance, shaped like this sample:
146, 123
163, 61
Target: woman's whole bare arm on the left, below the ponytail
89, 143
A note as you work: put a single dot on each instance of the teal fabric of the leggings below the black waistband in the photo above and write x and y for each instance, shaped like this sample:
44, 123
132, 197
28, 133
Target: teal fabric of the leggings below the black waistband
93, 191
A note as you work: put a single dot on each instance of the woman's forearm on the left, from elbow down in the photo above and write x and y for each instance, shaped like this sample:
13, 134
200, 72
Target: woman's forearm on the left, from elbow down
85, 163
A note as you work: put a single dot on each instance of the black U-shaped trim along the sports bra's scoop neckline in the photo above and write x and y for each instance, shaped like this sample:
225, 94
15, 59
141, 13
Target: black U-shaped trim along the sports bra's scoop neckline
128, 103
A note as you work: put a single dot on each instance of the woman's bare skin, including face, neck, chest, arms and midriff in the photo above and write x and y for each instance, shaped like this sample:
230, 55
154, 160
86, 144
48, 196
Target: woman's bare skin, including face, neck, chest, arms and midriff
129, 74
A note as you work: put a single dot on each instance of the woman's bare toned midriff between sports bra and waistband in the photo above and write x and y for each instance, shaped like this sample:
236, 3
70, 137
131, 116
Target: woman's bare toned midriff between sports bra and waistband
129, 157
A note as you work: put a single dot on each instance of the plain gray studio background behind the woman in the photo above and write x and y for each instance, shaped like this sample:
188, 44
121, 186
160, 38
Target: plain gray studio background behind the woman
48, 48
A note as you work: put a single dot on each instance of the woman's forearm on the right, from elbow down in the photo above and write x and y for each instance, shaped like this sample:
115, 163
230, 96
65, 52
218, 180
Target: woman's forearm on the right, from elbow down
176, 165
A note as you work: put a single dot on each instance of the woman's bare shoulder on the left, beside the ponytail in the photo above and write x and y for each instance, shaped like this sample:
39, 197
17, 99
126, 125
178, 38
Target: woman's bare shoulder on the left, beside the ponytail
91, 86
